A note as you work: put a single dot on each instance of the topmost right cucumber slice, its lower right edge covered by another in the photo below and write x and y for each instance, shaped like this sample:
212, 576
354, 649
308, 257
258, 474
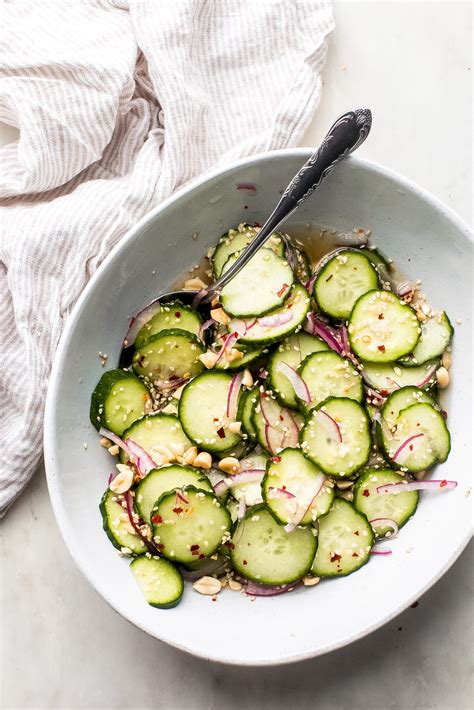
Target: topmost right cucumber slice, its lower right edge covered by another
341, 281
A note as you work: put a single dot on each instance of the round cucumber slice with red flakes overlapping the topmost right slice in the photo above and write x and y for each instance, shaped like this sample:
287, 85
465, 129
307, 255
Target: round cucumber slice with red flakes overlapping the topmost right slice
382, 328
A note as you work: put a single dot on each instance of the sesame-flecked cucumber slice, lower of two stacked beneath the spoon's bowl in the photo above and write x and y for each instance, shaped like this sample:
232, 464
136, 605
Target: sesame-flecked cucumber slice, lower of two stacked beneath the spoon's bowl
172, 354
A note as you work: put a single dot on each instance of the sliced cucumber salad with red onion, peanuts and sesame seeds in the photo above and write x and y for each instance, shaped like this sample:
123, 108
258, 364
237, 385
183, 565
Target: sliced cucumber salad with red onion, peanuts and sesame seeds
281, 437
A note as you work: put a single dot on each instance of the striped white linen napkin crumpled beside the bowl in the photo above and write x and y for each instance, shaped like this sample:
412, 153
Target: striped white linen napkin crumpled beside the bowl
119, 103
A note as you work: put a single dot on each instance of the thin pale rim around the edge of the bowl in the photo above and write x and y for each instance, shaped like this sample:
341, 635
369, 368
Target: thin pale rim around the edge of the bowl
52, 473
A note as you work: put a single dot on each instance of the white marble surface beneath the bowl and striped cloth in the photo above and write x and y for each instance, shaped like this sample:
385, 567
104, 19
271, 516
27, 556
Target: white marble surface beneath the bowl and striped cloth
63, 647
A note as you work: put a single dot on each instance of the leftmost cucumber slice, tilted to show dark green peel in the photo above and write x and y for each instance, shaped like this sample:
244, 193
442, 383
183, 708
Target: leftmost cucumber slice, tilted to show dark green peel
118, 400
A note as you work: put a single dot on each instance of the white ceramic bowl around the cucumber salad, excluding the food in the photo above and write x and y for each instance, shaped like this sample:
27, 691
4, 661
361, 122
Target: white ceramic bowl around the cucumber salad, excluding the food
428, 242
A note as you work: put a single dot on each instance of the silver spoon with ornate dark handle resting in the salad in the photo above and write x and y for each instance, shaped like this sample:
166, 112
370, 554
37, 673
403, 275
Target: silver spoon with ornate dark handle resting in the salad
344, 136
